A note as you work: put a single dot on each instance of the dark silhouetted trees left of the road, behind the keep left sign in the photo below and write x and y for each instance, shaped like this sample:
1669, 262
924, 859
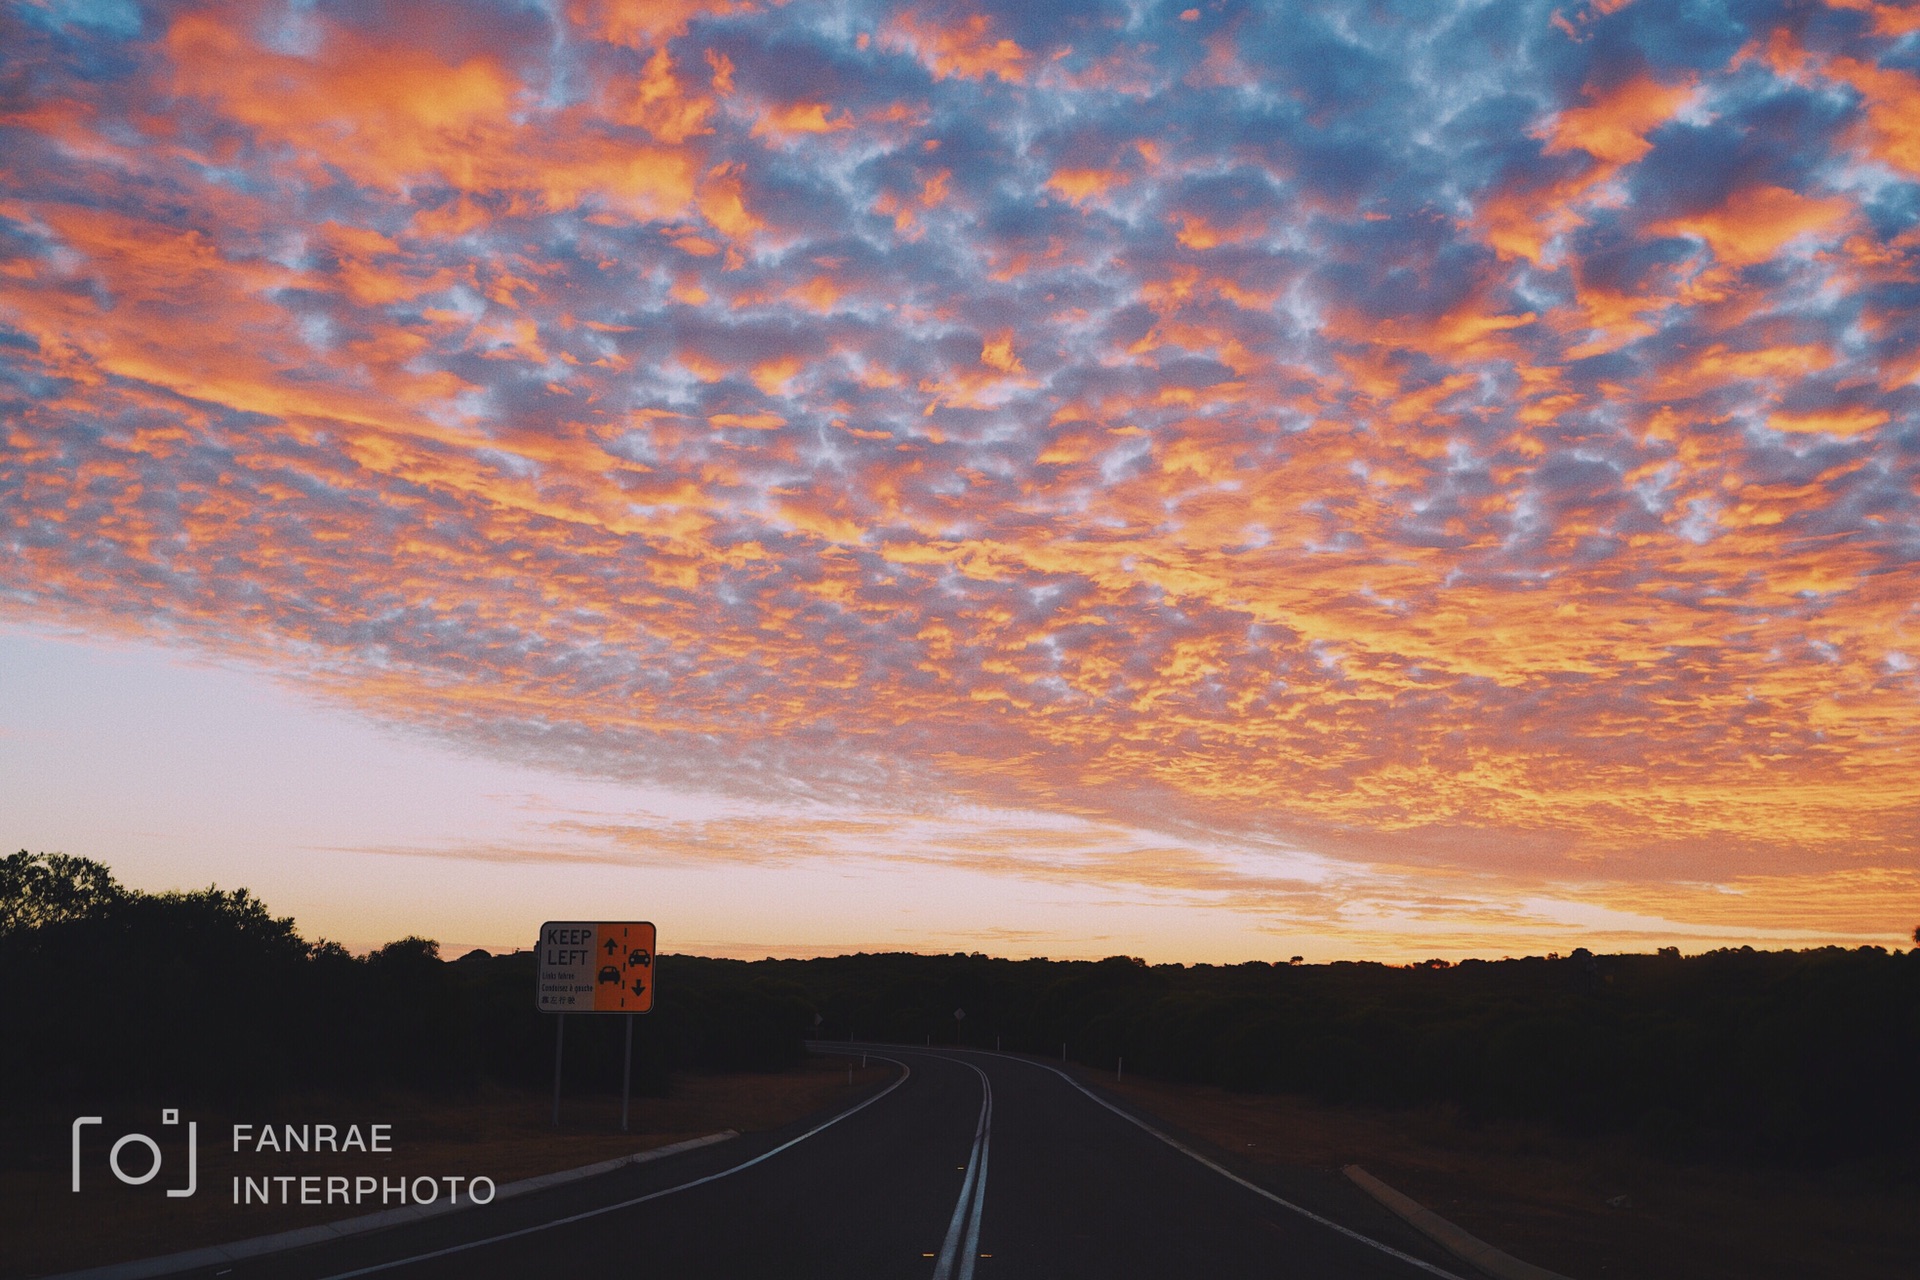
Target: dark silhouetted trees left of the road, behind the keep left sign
208, 997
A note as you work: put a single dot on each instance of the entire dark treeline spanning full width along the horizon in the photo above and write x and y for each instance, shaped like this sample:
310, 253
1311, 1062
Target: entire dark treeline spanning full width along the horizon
1806, 1056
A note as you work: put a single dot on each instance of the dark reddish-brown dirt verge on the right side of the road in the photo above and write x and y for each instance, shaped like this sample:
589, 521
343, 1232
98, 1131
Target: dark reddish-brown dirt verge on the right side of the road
1587, 1210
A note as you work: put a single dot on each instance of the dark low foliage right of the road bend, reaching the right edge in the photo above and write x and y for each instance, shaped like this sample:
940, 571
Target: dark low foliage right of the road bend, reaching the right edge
1804, 1056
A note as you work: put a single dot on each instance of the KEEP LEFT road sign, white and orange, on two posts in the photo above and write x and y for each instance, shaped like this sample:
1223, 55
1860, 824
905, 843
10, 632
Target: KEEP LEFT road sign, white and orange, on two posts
594, 968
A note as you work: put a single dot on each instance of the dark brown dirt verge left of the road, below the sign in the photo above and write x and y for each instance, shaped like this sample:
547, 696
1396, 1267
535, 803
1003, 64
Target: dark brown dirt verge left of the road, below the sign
500, 1135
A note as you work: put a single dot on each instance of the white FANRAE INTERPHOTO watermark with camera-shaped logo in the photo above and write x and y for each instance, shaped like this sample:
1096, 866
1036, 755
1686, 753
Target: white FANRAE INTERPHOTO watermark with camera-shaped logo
137, 1158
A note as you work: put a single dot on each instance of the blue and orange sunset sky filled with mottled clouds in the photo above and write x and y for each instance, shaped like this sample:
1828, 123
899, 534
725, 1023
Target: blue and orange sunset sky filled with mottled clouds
1356, 481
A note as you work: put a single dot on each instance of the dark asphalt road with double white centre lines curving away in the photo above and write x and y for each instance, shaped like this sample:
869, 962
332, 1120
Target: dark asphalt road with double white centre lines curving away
972, 1168
